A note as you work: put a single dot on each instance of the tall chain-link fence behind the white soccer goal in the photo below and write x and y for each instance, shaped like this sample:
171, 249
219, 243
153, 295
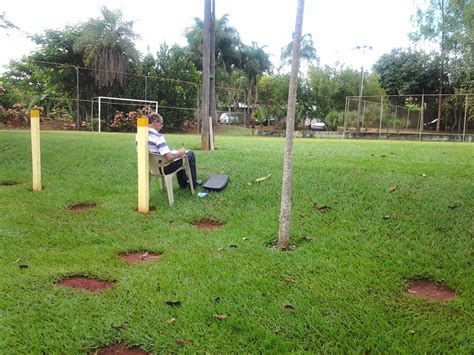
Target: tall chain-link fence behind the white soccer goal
72, 97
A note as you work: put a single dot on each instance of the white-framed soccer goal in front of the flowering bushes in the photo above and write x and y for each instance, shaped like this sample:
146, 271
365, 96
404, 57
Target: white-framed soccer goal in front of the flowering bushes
107, 106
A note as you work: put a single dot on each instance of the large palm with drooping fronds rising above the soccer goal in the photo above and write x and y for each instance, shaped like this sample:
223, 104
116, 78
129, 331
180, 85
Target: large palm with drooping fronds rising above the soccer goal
107, 46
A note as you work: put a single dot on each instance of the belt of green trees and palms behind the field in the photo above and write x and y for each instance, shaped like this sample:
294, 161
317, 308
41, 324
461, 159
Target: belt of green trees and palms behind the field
102, 54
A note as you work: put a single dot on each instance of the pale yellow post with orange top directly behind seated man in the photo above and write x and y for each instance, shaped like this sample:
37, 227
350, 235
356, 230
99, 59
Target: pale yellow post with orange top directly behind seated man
143, 169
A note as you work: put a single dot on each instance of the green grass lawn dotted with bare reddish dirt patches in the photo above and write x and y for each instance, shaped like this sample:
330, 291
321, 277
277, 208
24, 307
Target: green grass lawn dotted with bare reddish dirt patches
398, 211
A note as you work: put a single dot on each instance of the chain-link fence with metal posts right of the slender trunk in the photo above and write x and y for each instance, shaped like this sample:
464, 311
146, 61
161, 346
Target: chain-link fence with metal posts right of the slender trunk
415, 115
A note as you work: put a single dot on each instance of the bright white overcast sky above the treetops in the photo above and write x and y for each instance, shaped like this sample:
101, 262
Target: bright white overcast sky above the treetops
336, 26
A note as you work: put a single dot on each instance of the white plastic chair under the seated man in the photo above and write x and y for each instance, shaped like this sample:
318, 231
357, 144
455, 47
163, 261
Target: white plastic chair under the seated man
157, 165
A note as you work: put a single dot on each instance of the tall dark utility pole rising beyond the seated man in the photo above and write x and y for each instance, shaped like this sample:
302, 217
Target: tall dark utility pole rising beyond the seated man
208, 80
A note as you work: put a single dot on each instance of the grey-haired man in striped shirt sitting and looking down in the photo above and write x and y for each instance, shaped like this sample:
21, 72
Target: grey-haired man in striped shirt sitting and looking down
157, 144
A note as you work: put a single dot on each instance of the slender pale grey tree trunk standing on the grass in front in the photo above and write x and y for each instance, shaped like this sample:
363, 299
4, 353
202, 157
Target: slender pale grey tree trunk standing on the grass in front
285, 212
